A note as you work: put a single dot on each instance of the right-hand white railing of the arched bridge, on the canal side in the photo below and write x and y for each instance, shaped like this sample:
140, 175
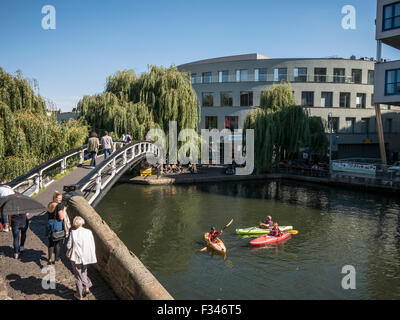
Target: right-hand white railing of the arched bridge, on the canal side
100, 177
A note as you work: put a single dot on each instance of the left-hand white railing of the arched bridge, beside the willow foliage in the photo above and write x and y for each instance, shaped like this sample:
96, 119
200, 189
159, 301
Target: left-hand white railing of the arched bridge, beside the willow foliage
35, 179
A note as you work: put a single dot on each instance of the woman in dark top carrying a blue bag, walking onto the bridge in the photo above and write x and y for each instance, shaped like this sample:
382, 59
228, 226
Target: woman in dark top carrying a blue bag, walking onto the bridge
54, 227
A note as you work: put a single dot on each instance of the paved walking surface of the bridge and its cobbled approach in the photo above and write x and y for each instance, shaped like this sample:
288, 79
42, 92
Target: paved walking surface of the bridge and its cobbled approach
23, 277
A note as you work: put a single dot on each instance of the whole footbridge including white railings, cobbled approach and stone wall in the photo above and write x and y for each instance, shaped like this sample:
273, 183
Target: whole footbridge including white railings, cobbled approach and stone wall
118, 273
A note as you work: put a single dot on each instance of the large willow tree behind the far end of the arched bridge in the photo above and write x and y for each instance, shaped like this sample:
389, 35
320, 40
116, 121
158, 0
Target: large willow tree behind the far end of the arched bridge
136, 105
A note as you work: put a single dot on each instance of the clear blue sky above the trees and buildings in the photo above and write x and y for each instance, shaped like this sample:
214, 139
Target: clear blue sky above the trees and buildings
93, 39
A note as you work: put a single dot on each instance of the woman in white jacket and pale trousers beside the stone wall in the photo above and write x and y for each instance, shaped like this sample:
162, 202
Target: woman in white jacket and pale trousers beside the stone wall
82, 252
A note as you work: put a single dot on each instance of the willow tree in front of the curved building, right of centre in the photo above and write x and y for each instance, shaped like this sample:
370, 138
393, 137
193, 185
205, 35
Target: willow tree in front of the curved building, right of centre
282, 128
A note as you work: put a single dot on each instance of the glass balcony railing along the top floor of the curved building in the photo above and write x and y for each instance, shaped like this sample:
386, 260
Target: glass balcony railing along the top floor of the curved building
273, 78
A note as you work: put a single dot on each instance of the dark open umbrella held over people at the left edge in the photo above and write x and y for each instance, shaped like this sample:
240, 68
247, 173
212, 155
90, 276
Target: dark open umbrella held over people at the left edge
19, 204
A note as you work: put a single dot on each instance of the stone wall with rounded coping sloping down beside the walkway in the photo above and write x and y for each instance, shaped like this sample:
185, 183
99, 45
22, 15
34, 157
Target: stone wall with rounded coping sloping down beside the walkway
122, 270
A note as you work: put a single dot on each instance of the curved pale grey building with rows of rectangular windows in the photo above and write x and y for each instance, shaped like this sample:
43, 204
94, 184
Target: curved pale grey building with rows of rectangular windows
228, 88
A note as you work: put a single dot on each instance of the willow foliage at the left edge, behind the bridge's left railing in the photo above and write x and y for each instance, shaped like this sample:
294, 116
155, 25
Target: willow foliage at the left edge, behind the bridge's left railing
28, 136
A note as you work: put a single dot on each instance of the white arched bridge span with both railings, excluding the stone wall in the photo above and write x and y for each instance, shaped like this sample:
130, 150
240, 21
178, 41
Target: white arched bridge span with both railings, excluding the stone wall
91, 183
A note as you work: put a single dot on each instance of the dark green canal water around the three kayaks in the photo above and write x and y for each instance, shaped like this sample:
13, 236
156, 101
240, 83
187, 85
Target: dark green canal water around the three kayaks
164, 227
